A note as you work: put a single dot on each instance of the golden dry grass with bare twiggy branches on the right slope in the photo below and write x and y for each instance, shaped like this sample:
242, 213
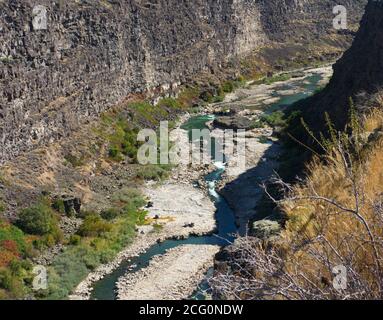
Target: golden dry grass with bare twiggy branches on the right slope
334, 218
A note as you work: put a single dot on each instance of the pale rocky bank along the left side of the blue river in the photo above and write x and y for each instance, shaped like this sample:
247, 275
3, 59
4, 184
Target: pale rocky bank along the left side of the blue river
176, 210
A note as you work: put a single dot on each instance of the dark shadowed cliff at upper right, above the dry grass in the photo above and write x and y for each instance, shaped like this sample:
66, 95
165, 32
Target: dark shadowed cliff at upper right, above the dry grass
358, 74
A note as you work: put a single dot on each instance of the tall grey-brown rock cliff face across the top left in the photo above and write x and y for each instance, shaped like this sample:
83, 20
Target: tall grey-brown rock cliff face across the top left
94, 54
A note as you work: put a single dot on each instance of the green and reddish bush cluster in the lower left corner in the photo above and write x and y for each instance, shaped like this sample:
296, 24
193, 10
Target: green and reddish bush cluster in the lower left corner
36, 228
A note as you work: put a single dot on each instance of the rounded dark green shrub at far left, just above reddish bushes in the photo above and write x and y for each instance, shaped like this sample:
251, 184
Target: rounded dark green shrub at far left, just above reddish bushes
39, 220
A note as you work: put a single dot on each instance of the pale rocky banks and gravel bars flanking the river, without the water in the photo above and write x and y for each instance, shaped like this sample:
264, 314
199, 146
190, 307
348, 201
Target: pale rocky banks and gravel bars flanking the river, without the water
178, 208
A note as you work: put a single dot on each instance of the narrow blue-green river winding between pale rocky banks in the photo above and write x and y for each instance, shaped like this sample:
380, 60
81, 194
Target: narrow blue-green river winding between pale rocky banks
284, 94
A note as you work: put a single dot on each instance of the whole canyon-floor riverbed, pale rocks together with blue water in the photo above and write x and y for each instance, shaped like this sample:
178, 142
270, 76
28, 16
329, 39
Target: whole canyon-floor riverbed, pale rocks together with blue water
220, 206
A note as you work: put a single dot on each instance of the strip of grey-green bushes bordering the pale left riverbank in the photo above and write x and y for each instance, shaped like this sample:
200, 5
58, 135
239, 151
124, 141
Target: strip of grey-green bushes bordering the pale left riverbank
97, 242
